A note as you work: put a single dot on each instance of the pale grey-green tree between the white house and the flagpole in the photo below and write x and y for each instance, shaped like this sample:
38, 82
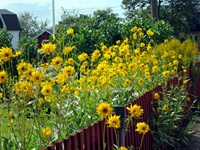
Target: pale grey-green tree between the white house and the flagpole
31, 27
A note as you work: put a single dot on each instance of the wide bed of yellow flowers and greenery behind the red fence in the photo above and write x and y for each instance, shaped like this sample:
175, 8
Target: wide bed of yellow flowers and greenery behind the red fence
58, 94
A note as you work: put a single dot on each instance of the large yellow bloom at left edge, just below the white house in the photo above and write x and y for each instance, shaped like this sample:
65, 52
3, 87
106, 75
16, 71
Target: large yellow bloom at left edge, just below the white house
6, 53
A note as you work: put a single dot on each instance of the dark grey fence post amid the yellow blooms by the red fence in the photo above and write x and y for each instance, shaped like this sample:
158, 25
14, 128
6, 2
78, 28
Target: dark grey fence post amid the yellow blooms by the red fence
121, 110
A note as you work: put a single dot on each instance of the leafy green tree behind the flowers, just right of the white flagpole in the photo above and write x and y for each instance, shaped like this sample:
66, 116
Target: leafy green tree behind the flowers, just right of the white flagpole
91, 30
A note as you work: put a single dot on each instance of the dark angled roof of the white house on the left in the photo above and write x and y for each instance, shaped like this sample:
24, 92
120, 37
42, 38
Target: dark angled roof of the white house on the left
9, 19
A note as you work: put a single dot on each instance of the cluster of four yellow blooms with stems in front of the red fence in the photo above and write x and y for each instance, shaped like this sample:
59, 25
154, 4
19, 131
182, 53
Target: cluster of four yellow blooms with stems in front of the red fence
105, 111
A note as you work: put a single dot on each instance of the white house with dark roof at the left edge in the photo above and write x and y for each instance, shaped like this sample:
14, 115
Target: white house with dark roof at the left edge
9, 21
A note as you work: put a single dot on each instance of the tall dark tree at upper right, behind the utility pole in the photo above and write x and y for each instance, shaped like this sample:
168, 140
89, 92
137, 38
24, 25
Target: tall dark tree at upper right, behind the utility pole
177, 12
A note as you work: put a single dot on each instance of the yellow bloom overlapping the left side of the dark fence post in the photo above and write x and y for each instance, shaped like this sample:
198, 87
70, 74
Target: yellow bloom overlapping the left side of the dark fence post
113, 121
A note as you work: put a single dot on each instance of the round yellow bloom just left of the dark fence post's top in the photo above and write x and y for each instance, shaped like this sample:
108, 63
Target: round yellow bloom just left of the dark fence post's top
104, 109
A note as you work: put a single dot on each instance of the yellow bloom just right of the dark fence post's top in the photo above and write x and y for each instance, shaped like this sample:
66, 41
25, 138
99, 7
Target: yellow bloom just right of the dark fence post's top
135, 110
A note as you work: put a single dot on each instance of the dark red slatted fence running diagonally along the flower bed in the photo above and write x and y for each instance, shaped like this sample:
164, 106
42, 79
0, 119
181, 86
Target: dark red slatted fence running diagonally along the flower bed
91, 138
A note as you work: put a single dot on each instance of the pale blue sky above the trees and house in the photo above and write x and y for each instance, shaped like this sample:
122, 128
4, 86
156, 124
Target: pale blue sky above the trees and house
43, 8
